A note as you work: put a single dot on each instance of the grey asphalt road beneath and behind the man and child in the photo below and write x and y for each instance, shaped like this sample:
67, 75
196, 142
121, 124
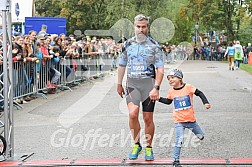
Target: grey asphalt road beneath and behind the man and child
91, 122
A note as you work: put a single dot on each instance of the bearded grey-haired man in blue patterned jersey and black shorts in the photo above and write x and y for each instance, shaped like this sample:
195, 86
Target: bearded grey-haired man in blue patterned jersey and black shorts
142, 56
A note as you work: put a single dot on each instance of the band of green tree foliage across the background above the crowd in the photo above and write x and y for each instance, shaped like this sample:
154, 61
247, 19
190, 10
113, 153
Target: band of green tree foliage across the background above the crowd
232, 16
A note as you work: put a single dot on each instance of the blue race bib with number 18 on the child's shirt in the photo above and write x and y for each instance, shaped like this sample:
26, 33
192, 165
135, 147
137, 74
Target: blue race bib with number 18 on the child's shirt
182, 102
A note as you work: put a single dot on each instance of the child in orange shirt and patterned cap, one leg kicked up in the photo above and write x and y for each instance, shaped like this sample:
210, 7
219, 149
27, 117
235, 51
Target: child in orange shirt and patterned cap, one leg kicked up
181, 95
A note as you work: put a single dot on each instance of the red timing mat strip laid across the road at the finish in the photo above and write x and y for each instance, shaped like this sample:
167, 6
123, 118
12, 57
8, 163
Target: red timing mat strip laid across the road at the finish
123, 162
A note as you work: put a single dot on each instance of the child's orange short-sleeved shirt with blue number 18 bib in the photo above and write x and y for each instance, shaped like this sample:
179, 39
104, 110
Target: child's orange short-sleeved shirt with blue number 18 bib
183, 103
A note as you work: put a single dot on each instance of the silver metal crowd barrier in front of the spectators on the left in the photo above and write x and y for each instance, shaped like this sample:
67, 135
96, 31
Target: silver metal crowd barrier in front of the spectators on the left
35, 78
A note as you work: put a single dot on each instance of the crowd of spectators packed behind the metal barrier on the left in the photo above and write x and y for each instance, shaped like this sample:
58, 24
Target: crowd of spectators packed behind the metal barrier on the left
34, 53
